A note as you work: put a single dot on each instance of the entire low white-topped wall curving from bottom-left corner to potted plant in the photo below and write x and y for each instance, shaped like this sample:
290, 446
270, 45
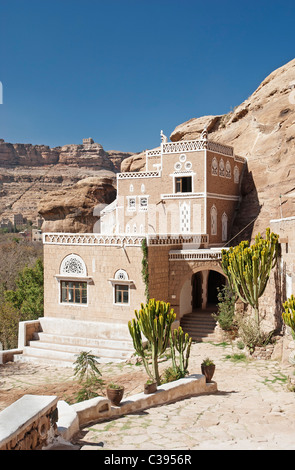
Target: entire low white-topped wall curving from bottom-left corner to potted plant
43, 422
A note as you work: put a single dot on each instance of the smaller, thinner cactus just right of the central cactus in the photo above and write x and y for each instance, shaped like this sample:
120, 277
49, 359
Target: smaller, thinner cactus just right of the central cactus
180, 342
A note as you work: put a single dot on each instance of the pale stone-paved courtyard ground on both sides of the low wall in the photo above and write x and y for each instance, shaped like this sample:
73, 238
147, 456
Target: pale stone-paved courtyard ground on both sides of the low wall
253, 408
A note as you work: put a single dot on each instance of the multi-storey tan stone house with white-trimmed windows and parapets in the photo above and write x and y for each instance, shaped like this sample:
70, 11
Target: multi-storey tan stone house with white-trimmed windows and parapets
181, 208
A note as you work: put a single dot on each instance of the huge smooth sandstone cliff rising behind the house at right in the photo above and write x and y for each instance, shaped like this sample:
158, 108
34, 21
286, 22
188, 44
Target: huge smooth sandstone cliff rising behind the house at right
262, 129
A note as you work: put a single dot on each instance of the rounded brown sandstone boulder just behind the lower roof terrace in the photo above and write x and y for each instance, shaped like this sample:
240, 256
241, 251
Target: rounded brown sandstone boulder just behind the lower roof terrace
72, 209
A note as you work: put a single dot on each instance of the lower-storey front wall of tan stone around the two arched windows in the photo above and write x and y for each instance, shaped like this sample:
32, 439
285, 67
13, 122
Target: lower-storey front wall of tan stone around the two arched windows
101, 262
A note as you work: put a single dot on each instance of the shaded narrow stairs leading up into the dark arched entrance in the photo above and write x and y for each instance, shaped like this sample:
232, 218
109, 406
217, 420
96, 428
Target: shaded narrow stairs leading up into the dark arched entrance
199, 324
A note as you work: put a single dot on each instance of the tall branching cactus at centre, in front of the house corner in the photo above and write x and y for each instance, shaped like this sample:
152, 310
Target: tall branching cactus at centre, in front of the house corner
154, 321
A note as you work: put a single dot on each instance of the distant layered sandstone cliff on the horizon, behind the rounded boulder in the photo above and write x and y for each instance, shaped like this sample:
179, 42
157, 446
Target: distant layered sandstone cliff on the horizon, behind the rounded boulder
28, 173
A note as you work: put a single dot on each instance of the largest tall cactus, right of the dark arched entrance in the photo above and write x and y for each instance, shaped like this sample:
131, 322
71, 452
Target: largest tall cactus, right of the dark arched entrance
248, 268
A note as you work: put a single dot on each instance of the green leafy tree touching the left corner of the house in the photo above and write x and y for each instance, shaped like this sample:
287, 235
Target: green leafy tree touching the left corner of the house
28, 296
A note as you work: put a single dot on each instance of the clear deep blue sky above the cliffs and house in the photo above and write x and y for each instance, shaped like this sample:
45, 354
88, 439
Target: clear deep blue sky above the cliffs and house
119, 71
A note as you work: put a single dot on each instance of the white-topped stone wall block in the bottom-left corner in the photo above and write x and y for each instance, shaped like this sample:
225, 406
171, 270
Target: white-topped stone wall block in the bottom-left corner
29, 423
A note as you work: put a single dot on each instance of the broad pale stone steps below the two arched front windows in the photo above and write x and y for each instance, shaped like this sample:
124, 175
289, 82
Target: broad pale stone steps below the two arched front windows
59, 341
